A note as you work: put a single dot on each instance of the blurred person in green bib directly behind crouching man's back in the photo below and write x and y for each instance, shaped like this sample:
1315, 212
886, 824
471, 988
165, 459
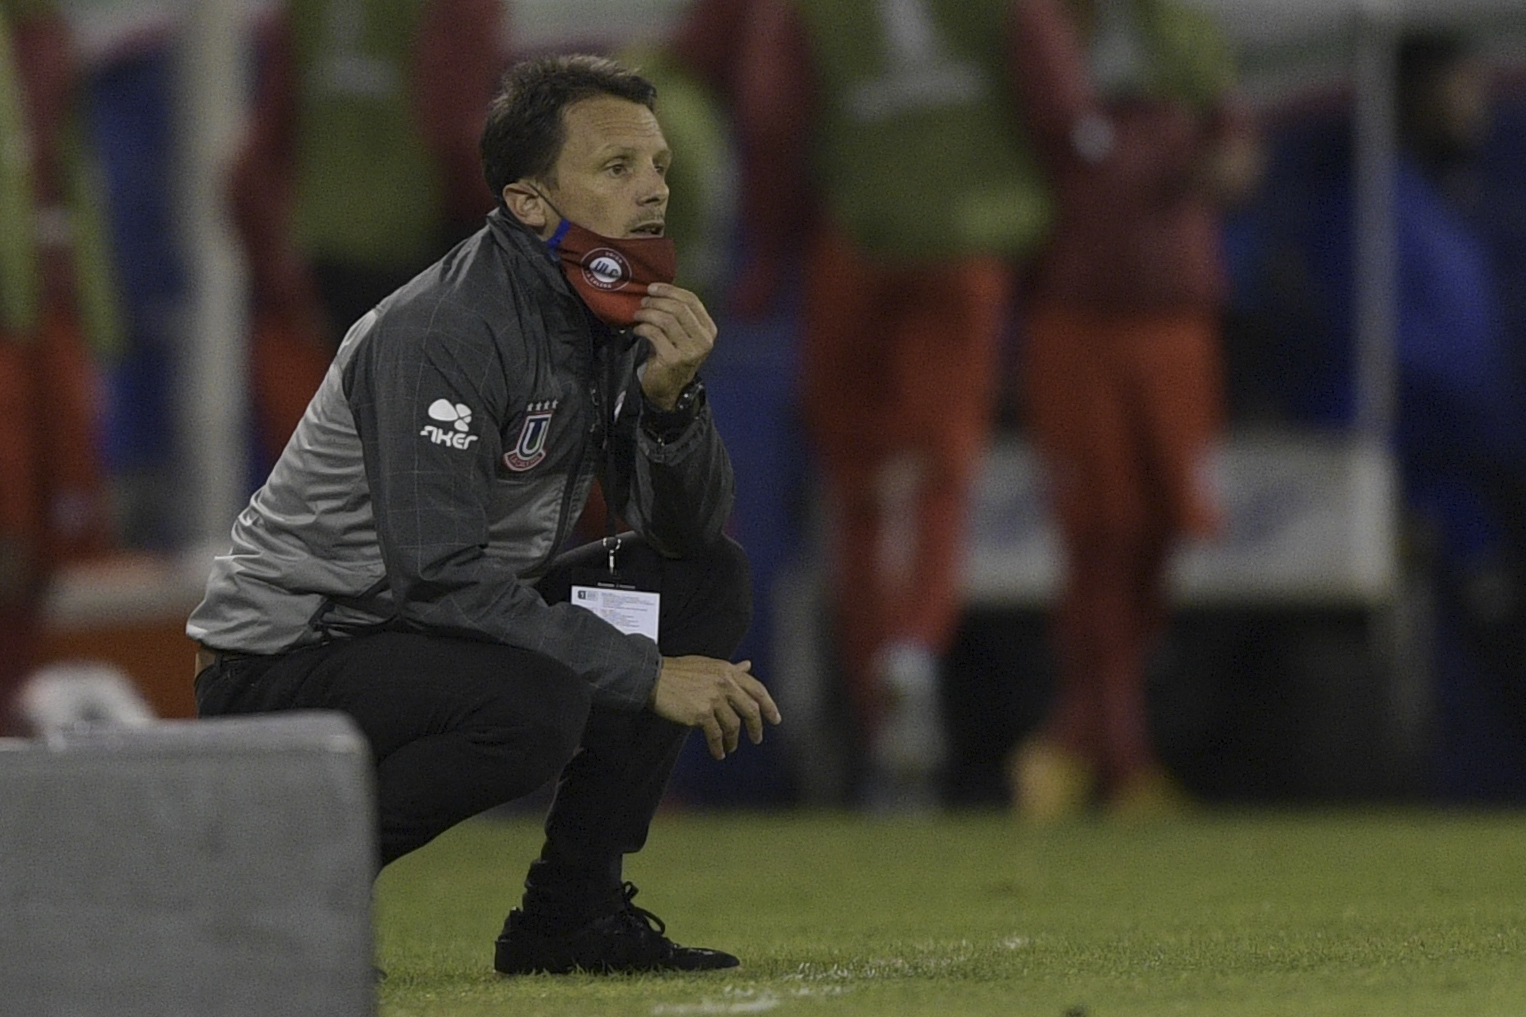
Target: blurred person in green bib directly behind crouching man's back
361, 106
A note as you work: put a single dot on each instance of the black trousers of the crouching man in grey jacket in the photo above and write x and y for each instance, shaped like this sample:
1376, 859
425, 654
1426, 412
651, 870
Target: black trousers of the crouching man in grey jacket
459, 726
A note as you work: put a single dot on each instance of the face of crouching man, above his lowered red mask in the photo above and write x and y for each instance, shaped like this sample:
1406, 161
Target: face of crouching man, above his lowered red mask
611, 175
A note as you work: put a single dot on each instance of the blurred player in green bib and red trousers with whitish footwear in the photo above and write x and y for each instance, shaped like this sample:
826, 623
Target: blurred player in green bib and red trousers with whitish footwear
883, 152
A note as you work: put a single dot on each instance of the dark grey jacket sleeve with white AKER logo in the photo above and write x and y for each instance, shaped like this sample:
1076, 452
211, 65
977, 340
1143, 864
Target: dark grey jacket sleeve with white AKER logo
433, 502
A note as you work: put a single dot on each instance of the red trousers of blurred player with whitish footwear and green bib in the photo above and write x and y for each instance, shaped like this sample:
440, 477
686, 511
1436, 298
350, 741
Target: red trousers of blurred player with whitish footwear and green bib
900, 383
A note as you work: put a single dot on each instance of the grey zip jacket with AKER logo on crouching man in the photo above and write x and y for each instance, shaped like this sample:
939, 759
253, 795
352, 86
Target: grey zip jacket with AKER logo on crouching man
443, 463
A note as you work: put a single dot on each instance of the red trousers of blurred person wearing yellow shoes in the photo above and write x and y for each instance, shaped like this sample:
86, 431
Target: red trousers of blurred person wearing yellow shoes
1124, 410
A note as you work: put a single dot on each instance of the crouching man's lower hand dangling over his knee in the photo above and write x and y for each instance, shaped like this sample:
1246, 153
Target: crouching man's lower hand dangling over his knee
715, 696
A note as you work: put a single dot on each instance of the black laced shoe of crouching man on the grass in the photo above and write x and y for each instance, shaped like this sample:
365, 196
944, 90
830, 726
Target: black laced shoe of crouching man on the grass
629, 940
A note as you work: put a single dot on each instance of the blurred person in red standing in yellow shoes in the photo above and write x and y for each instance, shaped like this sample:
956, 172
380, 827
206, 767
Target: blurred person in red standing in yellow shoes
1132, 105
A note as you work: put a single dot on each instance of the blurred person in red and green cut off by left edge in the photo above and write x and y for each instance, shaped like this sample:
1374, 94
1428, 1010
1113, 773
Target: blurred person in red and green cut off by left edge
57, 315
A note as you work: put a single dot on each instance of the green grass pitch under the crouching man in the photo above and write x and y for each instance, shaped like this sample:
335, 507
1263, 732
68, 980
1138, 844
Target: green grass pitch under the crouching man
1292, 914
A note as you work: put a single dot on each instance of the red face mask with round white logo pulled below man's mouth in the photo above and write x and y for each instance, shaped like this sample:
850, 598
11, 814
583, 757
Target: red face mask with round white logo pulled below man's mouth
613, 276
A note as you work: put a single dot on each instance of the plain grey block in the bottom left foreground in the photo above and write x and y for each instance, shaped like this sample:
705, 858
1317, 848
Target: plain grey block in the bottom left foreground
188, 868
